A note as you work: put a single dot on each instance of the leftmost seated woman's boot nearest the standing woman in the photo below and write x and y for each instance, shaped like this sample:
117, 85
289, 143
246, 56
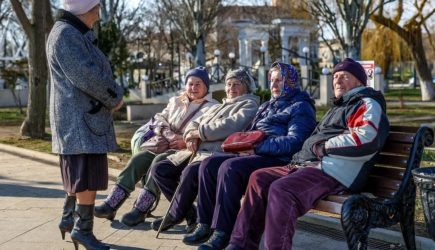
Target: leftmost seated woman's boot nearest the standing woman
114, 201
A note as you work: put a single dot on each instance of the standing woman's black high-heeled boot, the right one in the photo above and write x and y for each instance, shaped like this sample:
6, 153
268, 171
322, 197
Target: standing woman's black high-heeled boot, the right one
82, 232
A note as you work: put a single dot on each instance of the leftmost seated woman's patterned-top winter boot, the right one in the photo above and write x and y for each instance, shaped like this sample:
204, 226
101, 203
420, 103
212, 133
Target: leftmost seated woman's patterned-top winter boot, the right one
140, 209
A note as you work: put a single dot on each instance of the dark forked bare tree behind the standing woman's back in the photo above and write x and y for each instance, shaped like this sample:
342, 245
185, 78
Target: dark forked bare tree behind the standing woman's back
36, 28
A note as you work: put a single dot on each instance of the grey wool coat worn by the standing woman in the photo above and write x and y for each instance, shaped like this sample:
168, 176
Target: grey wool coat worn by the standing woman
82, 90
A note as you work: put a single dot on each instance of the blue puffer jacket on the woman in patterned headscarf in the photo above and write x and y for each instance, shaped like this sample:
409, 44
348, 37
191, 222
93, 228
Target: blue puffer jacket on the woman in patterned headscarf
287, 121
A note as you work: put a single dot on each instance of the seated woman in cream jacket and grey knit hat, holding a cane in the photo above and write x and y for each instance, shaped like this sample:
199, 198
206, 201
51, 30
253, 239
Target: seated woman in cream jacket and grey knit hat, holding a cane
204, 136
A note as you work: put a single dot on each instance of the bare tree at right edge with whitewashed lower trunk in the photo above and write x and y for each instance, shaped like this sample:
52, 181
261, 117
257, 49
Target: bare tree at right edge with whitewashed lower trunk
411, 32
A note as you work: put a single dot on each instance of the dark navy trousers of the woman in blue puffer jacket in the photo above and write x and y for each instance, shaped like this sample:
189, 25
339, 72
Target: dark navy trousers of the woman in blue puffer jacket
222, 182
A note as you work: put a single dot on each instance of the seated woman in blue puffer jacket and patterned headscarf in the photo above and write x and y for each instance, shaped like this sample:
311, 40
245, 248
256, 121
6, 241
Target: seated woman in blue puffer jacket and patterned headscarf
287, 119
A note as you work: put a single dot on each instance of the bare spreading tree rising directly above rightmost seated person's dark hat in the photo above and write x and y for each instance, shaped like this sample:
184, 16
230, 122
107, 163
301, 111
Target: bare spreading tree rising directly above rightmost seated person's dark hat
346, 20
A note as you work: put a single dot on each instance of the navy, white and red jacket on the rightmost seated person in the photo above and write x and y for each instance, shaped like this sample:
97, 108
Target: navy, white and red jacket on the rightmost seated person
349, 137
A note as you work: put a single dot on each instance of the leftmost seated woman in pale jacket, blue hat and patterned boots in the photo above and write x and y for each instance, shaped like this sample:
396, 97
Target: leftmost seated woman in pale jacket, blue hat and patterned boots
192, 103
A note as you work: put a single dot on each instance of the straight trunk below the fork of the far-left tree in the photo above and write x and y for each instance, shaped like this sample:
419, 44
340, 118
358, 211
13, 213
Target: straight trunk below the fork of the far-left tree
34, 124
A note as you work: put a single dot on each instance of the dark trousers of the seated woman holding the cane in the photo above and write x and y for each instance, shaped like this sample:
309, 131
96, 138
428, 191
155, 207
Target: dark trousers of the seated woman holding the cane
168, 176
